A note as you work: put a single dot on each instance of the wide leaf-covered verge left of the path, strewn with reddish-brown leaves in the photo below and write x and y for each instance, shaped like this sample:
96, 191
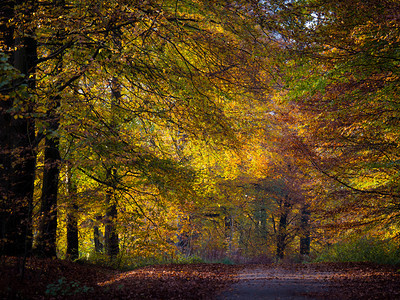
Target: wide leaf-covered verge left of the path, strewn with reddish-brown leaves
61, 279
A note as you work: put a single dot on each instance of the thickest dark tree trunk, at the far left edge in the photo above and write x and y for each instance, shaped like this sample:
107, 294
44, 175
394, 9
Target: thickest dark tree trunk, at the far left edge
17, 155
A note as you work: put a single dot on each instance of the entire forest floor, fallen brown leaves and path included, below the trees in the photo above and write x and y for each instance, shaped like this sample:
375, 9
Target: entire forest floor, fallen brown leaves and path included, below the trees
57, 279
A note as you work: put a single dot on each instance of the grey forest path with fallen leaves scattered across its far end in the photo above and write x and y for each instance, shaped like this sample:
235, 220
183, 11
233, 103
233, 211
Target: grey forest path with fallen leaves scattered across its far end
280, 282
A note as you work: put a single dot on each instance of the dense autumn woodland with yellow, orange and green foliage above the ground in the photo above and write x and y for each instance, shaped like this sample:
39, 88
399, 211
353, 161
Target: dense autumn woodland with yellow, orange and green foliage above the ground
148, 131
